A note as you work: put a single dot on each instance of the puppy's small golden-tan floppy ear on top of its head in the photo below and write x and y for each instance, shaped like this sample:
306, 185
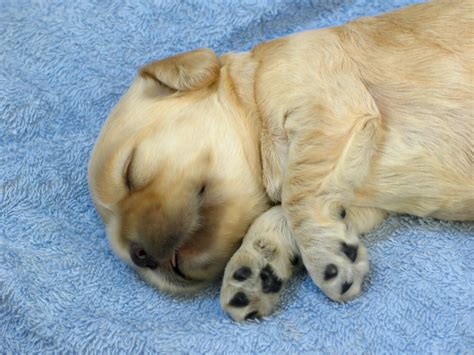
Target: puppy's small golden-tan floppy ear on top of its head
185, 71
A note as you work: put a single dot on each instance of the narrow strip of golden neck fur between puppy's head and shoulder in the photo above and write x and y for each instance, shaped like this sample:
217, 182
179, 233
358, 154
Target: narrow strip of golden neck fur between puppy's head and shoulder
237, 84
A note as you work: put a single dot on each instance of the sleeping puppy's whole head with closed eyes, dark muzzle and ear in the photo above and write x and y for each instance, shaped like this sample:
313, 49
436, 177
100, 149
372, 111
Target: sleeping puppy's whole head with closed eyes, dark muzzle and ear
174, 174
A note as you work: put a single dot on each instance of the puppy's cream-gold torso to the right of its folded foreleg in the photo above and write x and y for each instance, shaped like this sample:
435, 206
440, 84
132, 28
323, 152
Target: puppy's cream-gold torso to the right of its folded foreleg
418, 64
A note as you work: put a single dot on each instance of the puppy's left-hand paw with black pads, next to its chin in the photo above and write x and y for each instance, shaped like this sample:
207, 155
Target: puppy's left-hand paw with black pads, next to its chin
253, 280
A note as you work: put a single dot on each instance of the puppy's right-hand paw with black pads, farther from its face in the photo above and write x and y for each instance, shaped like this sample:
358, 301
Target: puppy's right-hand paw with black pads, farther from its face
338, 267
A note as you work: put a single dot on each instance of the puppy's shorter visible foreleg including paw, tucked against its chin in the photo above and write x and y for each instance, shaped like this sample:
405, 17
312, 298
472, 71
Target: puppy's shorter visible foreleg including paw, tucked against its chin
256, 274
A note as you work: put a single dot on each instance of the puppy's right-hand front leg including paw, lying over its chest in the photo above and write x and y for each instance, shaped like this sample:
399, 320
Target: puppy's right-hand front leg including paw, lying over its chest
326, 165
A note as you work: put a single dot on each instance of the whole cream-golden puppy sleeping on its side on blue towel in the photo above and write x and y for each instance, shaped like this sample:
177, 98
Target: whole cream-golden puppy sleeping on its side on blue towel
250, 161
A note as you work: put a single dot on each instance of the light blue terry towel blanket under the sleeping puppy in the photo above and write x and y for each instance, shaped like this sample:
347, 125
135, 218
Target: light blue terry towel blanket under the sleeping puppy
63, 65
